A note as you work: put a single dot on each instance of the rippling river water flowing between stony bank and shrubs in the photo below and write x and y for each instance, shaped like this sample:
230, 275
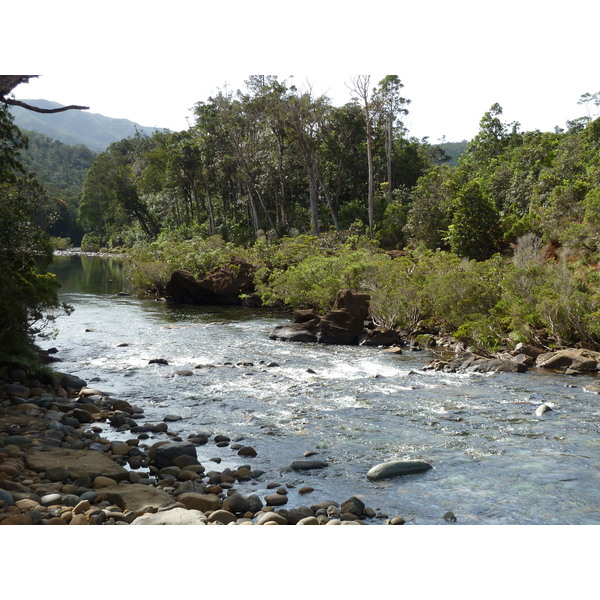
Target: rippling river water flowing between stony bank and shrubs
494, 461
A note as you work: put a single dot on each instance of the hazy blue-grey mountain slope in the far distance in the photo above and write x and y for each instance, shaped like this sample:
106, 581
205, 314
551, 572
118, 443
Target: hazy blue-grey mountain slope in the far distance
76, 126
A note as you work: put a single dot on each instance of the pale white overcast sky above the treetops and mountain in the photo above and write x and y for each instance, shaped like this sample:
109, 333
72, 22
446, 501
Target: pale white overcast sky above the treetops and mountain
150, 62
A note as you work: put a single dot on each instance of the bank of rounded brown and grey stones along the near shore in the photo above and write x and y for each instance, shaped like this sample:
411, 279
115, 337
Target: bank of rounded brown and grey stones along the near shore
59, 467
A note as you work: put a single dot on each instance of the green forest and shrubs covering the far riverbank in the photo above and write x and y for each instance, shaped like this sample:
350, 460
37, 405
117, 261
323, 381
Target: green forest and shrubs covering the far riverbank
498, 246
